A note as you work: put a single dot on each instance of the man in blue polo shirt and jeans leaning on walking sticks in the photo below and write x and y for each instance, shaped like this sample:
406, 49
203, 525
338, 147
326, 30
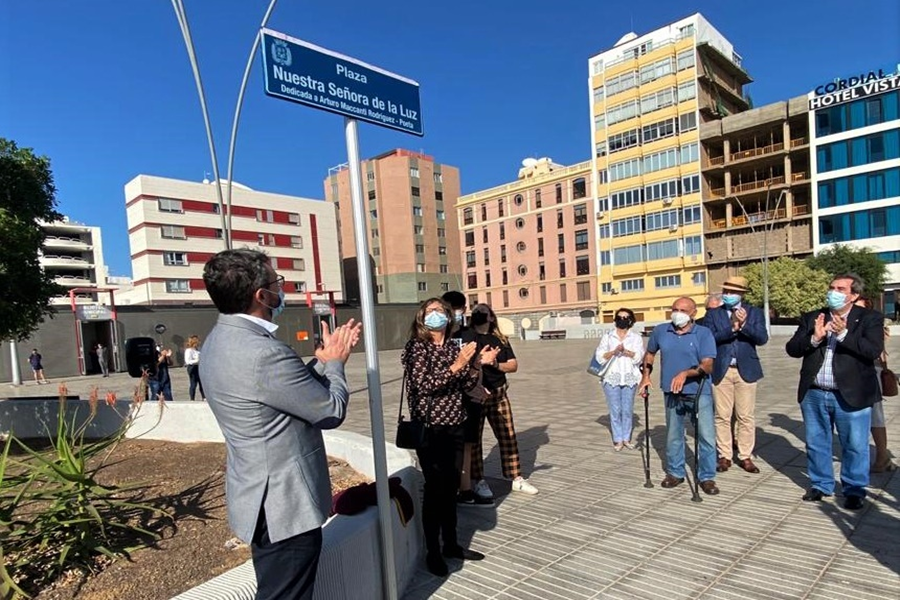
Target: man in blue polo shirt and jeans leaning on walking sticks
688, 351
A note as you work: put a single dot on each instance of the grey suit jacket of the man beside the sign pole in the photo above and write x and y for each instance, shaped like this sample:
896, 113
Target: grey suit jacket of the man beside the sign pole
271, 408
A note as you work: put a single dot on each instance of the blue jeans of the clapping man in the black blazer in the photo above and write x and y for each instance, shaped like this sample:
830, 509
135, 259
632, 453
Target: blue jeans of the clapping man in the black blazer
823, 411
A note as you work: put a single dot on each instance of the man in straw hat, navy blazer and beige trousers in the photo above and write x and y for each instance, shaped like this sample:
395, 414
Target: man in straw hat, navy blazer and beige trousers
738, 329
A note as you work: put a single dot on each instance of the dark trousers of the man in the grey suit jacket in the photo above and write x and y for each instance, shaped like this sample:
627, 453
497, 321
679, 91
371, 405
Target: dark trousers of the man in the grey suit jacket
285, 570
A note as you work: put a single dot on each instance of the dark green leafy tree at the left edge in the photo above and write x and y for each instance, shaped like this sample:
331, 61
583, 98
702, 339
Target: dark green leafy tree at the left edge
27, 194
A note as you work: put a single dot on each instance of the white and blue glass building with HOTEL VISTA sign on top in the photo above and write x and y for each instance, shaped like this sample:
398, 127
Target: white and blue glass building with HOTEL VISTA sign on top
855, 127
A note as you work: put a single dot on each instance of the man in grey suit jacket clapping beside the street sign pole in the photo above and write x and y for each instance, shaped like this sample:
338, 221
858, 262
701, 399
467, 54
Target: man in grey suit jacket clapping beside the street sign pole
271, 408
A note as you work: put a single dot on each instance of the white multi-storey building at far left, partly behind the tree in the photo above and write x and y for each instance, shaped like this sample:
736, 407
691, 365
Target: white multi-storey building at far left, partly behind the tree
73, 254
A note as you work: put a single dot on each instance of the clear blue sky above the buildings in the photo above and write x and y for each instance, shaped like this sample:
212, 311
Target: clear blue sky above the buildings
104, 88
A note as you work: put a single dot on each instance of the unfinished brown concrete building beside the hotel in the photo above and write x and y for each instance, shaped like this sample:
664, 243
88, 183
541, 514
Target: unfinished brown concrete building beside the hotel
756, 187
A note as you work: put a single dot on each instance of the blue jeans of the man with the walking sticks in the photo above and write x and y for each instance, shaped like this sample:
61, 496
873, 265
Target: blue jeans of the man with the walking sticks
677, 412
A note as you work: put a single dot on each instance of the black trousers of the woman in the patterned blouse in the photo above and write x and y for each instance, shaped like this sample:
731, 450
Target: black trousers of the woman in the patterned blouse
441, 462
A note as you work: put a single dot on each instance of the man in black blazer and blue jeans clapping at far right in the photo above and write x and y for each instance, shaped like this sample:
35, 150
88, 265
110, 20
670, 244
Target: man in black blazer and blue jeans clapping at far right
839, 345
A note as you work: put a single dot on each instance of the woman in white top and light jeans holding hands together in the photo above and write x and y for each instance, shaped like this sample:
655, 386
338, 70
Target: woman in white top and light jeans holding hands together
626, 350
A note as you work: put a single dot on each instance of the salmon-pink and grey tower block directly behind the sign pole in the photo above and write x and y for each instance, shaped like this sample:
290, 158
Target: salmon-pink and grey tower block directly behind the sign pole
412, 228
